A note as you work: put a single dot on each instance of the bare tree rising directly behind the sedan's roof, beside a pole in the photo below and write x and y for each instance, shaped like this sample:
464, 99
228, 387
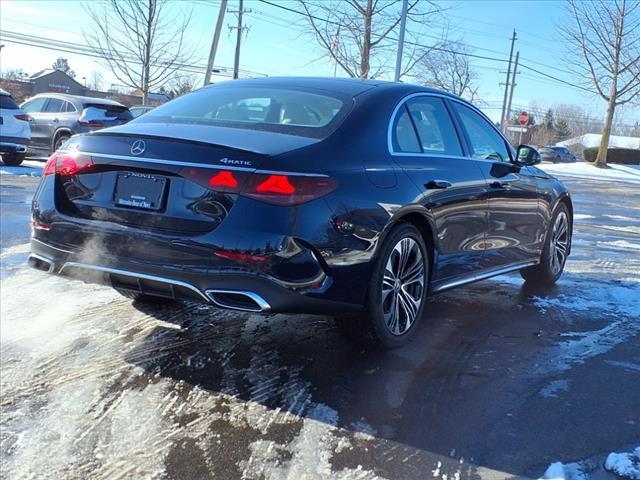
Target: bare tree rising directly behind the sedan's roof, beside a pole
361, 35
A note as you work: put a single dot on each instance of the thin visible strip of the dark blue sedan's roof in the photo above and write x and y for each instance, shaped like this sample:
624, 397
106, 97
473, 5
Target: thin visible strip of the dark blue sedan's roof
346, 86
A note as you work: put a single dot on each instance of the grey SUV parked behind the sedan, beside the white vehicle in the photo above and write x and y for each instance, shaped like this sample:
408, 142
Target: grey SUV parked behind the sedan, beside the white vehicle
55, 117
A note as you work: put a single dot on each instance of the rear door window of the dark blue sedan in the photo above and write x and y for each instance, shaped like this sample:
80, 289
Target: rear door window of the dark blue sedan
434, 126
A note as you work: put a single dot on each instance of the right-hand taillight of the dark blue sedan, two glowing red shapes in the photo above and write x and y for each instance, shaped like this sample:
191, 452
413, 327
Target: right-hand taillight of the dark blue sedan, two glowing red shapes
276, 189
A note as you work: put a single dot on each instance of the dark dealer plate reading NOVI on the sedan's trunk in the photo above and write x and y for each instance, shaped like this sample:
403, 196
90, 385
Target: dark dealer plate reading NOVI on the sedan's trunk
140, 190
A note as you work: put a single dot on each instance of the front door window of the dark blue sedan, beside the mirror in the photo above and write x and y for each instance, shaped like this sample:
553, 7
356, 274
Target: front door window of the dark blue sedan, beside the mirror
485, 142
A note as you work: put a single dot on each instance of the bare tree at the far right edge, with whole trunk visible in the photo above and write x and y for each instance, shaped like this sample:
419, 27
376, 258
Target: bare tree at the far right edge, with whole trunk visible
604, 37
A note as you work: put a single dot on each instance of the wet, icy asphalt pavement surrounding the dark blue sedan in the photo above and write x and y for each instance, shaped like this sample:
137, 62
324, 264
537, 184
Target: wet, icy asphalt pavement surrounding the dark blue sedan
500, 382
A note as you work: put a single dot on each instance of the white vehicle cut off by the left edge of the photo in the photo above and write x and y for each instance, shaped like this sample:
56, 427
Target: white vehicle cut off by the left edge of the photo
14, 130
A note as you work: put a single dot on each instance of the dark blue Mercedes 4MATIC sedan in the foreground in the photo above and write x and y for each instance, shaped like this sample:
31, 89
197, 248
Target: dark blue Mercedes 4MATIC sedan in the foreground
330, 196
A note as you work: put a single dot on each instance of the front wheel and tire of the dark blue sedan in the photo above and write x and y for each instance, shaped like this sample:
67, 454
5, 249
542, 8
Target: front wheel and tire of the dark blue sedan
550, 268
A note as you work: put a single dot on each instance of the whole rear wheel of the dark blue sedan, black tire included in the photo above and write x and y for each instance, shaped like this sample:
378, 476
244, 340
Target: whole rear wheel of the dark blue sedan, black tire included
376, 328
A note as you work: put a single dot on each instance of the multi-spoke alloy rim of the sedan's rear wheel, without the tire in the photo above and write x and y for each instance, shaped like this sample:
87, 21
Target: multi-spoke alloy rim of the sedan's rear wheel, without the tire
402, 286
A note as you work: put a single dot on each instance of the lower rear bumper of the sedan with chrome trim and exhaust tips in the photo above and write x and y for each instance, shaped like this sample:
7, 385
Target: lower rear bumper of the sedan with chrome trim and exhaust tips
242, 291
